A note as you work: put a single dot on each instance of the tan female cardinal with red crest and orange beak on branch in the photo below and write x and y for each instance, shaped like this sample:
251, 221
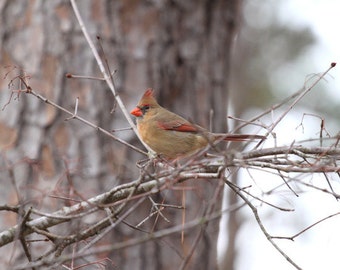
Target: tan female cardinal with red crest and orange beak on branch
170, 135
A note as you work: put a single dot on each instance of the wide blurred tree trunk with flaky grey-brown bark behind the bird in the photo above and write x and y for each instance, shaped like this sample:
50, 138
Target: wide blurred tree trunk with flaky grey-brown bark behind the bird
179, 48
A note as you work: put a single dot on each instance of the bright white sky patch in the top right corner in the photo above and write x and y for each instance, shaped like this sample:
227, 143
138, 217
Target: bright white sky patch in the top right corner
323, 16
